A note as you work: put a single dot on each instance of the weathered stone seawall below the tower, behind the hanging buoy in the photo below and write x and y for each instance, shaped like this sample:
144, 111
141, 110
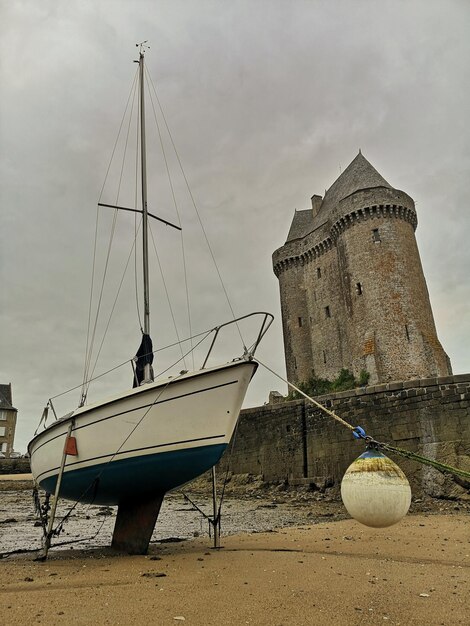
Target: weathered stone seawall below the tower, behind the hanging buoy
299, 444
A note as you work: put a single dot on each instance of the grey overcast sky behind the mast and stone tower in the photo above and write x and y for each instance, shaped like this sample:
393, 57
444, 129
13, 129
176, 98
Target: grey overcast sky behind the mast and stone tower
267, 101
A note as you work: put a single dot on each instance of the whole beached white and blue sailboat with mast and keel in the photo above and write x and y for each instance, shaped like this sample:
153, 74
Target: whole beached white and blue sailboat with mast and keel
129, 450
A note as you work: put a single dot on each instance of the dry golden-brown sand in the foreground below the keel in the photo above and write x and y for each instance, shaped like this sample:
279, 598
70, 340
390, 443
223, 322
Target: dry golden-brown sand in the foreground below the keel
416, 572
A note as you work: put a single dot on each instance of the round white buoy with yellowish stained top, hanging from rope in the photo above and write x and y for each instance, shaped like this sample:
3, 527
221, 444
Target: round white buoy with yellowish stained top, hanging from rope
375, 491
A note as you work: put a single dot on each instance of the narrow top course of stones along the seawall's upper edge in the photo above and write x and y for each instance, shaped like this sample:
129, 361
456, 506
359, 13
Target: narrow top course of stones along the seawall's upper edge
374, 389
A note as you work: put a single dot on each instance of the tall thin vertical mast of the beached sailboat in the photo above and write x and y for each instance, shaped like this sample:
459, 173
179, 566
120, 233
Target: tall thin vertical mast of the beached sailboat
143, 158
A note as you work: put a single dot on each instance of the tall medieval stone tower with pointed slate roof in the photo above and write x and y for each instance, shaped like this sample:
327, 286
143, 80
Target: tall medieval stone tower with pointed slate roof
353, 292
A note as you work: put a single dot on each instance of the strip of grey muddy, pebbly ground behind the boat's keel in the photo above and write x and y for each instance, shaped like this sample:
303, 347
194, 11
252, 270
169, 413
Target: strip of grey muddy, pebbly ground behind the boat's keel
93, 525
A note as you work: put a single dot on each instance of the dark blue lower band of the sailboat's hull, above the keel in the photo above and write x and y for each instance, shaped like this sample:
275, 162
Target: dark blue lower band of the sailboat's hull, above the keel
141, 476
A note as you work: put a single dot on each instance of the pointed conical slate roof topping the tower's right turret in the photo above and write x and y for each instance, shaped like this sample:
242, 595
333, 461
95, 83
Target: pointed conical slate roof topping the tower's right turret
359, 174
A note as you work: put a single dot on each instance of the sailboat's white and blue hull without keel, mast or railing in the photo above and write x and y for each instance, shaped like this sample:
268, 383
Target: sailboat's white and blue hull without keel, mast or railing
146, 442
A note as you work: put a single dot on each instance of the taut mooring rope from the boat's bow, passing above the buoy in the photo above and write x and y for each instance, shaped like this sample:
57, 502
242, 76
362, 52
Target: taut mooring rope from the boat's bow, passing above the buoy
359, 433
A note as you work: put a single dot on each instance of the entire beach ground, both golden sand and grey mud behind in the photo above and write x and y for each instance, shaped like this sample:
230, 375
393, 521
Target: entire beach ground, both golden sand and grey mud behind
287, 558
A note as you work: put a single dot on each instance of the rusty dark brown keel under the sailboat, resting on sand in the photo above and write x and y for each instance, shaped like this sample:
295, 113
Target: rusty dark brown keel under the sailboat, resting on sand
135, 522
